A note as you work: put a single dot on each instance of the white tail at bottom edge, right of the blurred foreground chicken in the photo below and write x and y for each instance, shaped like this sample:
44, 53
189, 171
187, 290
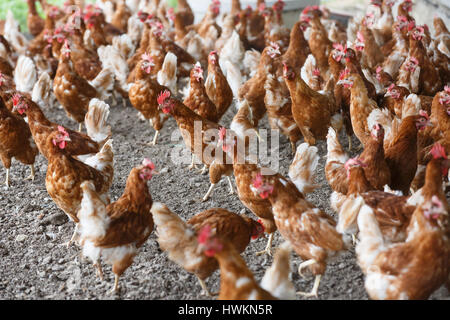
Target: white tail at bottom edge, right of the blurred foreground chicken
276, 279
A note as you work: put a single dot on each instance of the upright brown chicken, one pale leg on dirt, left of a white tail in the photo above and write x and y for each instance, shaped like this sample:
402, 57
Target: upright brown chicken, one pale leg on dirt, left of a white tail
143, 94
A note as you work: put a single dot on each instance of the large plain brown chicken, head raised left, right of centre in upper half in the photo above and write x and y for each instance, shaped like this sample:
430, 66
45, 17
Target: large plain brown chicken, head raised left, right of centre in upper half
312, 111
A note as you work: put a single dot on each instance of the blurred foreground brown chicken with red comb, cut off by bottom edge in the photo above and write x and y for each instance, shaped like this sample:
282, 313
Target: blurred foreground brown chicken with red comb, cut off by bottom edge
236, 280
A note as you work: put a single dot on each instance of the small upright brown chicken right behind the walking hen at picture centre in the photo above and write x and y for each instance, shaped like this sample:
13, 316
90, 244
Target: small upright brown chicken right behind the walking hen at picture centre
198, 100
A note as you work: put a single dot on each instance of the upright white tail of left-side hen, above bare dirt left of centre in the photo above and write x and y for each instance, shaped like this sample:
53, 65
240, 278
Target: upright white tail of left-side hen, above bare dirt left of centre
96, 121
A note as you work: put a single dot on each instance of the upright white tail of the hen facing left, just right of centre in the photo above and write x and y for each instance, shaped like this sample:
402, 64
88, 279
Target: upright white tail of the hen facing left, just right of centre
301, 171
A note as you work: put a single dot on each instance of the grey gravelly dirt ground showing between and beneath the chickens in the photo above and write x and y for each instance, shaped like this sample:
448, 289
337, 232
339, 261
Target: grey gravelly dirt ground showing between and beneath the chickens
35, 265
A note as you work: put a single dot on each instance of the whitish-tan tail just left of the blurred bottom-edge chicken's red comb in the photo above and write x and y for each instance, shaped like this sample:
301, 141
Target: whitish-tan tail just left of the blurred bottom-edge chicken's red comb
175, 236
